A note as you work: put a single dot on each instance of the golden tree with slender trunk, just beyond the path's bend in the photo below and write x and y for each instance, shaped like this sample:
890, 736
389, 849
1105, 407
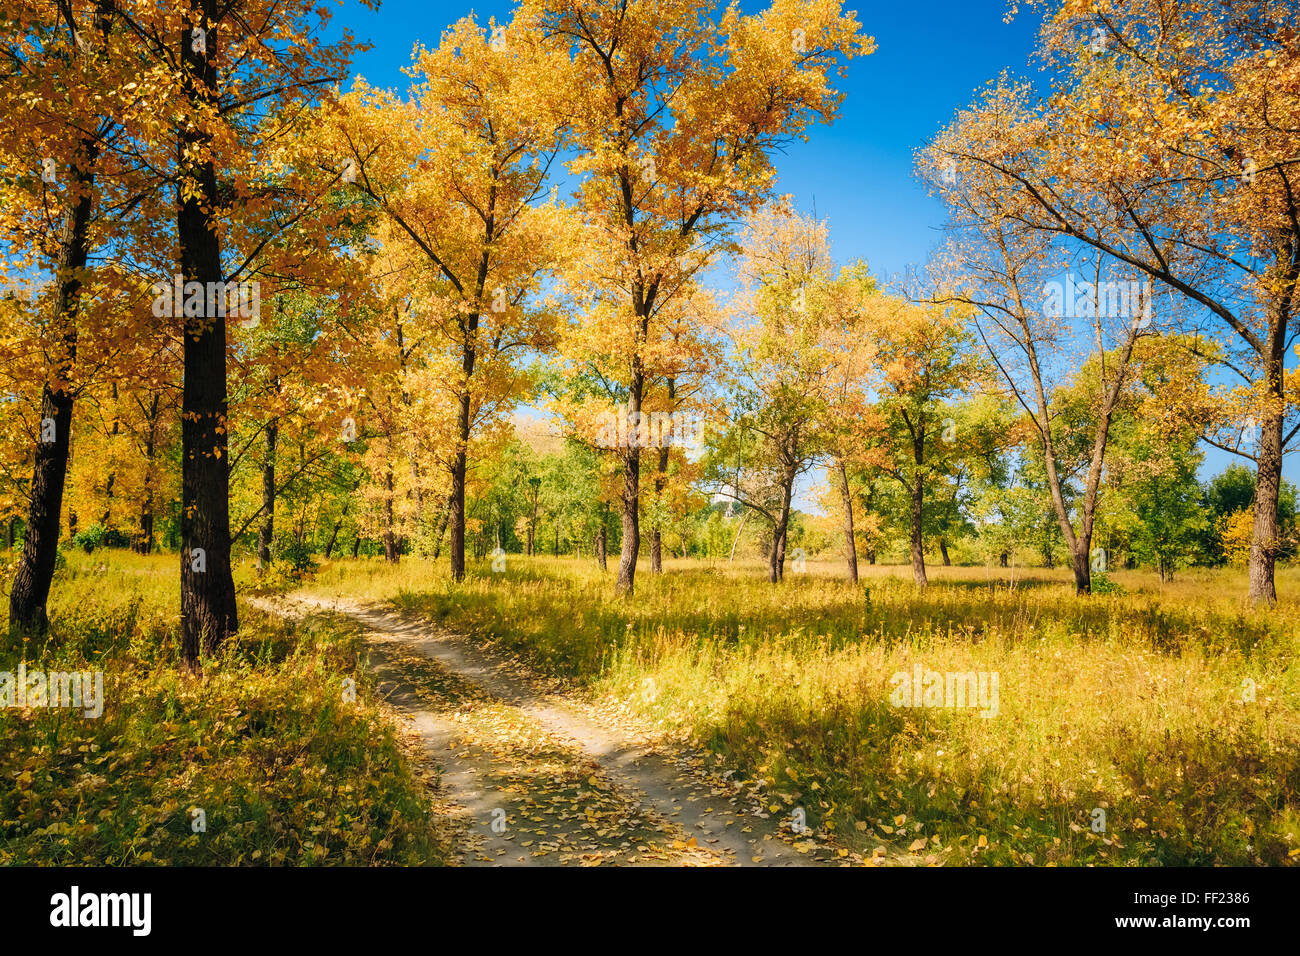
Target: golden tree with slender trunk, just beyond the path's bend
458, 172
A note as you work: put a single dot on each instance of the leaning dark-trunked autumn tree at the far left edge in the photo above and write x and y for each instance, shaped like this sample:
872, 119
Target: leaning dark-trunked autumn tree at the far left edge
63, 103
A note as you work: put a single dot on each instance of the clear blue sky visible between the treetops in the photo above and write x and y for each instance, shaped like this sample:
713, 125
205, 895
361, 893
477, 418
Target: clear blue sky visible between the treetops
931, 59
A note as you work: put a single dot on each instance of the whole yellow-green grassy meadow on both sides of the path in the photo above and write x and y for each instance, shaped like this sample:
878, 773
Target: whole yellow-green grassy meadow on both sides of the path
1171, 708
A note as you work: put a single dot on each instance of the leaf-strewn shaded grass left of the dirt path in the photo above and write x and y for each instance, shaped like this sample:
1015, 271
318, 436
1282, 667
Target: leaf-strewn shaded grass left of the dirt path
285, 771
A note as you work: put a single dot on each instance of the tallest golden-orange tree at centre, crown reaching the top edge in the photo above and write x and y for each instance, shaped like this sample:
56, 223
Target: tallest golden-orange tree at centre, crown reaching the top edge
677, 109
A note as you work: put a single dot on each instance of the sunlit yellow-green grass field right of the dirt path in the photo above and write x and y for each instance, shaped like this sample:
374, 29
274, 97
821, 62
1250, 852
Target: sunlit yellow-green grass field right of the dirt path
1172, 708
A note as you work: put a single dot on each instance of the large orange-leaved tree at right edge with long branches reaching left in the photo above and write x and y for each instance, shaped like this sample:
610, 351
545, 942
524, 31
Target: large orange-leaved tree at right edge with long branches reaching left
1169, 145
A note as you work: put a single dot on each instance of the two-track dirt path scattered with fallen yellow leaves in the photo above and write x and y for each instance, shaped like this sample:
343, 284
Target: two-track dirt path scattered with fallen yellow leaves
538, 781
